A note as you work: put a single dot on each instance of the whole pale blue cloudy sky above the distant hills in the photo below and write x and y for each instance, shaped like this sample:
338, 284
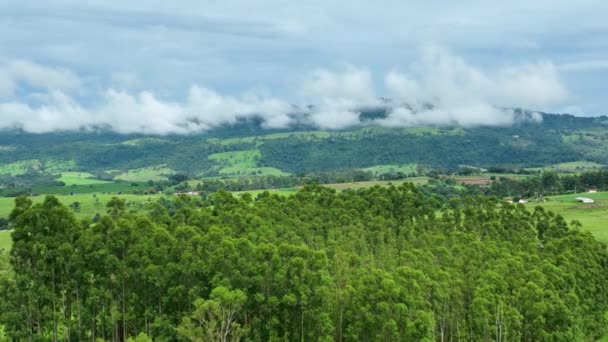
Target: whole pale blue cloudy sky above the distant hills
188, 66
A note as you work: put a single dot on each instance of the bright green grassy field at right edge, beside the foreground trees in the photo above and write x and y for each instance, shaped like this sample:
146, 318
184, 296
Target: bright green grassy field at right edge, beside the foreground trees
593, 217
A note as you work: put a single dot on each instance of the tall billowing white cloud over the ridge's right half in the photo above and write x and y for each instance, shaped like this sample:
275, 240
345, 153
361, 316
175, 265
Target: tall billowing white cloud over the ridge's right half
459, 93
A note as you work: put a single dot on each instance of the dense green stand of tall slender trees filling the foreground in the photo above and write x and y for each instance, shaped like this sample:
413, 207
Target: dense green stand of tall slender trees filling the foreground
380, 264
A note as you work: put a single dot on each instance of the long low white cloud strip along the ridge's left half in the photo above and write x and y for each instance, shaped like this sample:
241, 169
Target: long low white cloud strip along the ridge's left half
143, 112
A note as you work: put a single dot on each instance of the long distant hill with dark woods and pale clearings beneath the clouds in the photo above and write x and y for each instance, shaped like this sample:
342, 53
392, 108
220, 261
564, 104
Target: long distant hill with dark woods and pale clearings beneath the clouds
249, 149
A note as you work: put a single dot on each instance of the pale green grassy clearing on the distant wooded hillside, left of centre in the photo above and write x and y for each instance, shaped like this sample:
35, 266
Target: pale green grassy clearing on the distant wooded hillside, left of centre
243, 163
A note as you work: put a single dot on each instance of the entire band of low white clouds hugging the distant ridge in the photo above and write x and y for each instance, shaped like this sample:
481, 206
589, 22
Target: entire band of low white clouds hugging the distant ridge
439, 89
